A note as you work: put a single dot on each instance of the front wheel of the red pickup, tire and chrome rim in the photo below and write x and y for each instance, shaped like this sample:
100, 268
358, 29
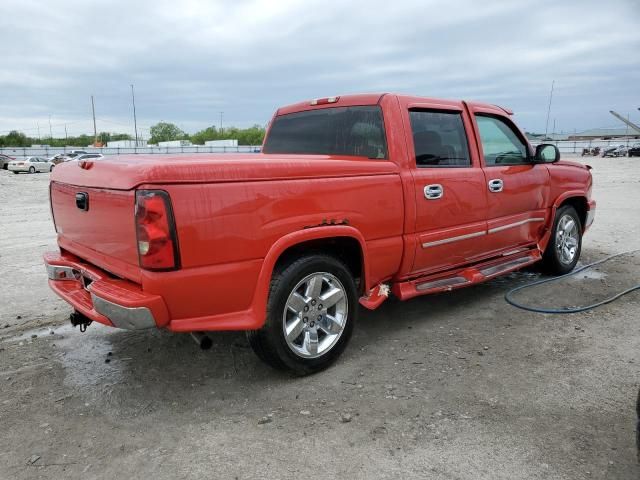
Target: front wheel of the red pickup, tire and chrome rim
563, 251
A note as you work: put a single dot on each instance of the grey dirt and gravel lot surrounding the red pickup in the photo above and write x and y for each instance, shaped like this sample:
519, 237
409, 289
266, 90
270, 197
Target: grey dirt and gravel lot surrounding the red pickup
453, 386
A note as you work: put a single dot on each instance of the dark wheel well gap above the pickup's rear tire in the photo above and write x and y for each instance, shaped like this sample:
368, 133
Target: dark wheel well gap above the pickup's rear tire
346, 249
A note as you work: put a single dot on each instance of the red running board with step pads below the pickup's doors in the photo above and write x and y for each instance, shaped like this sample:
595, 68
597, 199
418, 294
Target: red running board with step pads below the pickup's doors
464, 277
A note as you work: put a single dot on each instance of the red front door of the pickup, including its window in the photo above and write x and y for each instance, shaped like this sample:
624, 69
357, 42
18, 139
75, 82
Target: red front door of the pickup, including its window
516, 187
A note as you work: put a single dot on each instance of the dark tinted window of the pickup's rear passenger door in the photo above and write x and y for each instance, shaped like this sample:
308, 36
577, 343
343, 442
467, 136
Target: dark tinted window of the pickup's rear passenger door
439, 139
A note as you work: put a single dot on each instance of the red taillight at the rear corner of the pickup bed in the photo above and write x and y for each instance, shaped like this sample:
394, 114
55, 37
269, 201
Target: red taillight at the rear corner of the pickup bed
156, 231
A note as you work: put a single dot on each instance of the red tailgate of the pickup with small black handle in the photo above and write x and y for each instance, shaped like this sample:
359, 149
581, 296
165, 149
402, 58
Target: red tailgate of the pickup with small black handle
103, 232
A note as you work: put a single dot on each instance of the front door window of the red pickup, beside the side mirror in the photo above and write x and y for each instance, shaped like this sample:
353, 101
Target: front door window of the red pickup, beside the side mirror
500, 144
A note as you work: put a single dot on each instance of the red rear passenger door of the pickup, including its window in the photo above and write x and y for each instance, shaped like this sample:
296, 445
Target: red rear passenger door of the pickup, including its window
449, 187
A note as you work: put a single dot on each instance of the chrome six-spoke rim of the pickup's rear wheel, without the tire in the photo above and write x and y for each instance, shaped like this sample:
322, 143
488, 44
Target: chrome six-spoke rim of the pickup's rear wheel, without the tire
315, 315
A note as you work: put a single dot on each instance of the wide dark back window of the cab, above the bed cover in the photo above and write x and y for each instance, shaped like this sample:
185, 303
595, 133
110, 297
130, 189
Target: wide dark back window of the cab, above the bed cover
349, 131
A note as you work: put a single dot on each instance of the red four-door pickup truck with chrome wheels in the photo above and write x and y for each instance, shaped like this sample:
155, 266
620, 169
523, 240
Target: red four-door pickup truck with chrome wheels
351, 199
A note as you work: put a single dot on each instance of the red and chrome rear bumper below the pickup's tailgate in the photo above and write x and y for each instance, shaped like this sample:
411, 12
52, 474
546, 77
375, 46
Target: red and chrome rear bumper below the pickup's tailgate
101, 297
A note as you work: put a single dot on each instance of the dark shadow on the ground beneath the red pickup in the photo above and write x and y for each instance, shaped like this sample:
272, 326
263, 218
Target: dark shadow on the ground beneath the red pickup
126, 371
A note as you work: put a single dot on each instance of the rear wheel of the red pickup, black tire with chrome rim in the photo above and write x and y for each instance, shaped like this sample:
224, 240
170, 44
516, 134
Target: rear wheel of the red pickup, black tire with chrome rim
311, 311
